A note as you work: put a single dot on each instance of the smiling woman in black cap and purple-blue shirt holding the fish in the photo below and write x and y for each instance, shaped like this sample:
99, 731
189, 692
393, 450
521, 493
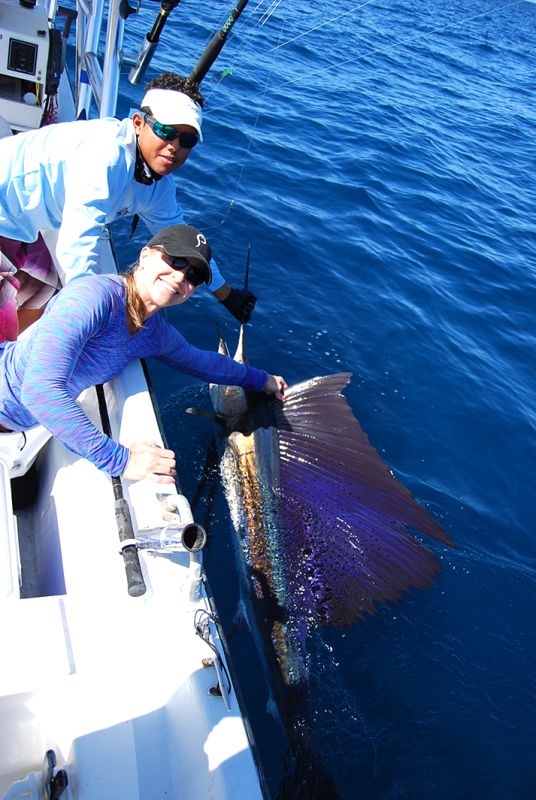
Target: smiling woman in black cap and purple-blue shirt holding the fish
92, 329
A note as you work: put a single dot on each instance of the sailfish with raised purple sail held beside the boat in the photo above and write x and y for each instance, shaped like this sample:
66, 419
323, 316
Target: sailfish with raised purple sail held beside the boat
325, 527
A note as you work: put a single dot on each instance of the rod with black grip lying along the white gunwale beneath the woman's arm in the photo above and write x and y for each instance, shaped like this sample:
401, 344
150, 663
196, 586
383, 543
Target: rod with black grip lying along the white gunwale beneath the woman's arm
135, 582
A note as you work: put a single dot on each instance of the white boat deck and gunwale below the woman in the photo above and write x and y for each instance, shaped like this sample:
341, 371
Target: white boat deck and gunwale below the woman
114, 684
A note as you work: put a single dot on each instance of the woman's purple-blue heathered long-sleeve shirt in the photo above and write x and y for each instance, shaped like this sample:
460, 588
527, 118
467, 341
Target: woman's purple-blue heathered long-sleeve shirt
82, 340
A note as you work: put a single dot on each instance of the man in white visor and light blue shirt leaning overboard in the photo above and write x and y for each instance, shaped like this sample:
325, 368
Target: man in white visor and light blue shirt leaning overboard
75, 177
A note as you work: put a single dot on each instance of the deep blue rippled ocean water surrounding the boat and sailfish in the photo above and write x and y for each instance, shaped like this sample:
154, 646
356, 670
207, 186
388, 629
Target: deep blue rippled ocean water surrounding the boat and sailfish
380, 159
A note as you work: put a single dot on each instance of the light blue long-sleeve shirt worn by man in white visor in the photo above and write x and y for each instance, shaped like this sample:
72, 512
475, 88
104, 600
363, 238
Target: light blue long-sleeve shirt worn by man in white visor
75, 177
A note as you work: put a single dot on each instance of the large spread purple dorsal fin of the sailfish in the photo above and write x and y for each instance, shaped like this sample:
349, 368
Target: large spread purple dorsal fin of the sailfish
343, 515
